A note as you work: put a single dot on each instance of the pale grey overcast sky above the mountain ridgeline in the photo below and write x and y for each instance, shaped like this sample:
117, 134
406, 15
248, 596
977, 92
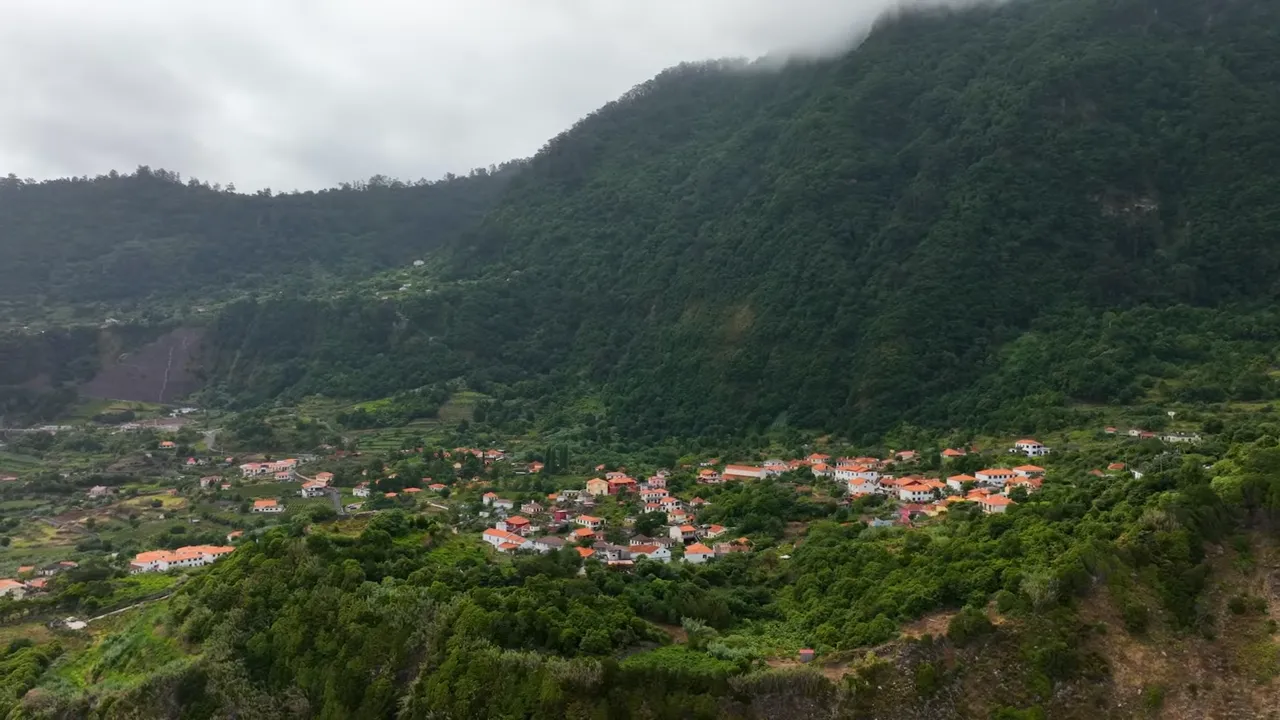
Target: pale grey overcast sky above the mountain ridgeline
301, 94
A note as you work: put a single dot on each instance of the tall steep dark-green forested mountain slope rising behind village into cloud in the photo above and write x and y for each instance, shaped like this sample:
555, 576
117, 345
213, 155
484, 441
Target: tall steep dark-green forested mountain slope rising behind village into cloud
1050, 199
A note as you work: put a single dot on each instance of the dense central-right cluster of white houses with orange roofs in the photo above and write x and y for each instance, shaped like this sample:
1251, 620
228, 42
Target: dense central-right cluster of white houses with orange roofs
566, 520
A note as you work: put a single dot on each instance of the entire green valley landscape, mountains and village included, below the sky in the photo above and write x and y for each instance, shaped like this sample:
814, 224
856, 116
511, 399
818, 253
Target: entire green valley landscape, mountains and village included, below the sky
935, 379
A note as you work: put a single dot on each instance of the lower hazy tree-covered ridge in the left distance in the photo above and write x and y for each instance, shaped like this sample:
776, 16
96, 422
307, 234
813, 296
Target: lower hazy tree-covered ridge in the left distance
152, 236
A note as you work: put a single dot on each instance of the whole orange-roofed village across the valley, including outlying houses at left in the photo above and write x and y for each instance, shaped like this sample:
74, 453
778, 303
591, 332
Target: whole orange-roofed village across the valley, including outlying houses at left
612, 517
